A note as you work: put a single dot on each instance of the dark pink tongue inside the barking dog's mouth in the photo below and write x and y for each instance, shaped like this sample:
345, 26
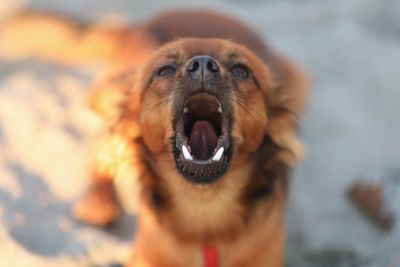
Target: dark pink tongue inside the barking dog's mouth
202, 140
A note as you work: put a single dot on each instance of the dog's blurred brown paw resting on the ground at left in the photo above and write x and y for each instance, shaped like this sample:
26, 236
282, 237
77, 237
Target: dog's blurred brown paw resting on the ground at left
99, 205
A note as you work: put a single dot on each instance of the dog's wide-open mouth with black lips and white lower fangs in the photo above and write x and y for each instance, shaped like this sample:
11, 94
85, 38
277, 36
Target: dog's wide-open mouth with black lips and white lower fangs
202, 142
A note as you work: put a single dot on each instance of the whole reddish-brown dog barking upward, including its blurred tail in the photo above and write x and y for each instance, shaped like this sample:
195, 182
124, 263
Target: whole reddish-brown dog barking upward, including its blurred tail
205, 114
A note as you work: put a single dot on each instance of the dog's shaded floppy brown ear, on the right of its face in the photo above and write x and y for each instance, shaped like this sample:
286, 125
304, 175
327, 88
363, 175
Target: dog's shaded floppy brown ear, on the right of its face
286, 99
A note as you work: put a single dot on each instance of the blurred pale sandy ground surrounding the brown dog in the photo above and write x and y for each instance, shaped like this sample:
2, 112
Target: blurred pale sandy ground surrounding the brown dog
351, 49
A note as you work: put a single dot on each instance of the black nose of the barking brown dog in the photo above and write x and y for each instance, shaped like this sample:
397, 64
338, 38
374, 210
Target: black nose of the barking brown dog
202, 68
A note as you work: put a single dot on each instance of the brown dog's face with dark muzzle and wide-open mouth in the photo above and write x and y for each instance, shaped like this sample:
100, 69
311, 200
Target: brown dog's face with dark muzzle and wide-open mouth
204, 103
